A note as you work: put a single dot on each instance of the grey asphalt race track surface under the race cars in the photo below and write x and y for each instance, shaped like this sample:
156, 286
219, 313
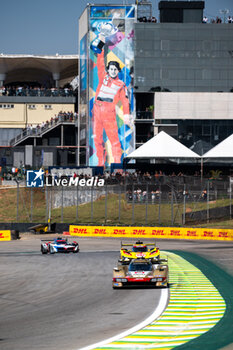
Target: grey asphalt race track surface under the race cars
66, 301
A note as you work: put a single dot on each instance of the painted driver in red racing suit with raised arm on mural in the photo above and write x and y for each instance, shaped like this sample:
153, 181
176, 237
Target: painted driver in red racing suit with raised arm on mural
110, 92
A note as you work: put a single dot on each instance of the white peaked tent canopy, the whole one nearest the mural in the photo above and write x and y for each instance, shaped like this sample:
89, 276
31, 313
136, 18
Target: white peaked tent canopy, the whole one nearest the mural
163, 146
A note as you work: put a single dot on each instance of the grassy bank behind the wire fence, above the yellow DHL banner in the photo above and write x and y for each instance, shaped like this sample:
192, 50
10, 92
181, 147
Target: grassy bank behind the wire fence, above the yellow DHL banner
115, 211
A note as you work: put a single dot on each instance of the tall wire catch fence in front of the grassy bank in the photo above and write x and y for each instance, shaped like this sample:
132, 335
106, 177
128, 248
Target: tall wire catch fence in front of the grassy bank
167, 201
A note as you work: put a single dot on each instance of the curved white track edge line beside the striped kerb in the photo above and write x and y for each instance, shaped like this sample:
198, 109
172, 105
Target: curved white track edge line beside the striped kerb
157, 312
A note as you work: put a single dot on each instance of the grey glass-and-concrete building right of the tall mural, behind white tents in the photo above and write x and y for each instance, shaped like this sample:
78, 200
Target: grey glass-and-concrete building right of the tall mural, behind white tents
185, 68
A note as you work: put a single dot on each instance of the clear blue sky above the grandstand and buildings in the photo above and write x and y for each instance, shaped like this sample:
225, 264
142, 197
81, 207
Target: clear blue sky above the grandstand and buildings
47, 27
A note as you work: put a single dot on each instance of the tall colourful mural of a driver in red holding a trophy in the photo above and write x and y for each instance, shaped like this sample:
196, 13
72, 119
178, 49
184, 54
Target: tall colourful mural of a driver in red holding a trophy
111, 104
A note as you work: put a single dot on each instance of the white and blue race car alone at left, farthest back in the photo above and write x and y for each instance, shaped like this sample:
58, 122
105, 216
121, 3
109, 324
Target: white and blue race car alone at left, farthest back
59, 245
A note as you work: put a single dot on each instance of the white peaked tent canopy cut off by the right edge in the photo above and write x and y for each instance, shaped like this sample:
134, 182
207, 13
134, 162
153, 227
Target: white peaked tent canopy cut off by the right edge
223, 150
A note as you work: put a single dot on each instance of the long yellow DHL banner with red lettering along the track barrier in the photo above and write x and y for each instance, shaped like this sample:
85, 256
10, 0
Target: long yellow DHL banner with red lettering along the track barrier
152, 232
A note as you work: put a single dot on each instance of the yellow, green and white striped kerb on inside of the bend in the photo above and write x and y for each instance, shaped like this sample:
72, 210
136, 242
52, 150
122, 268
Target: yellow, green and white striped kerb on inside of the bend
194, 308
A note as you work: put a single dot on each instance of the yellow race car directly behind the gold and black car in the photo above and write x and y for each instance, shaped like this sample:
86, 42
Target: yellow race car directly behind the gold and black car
138, 250
